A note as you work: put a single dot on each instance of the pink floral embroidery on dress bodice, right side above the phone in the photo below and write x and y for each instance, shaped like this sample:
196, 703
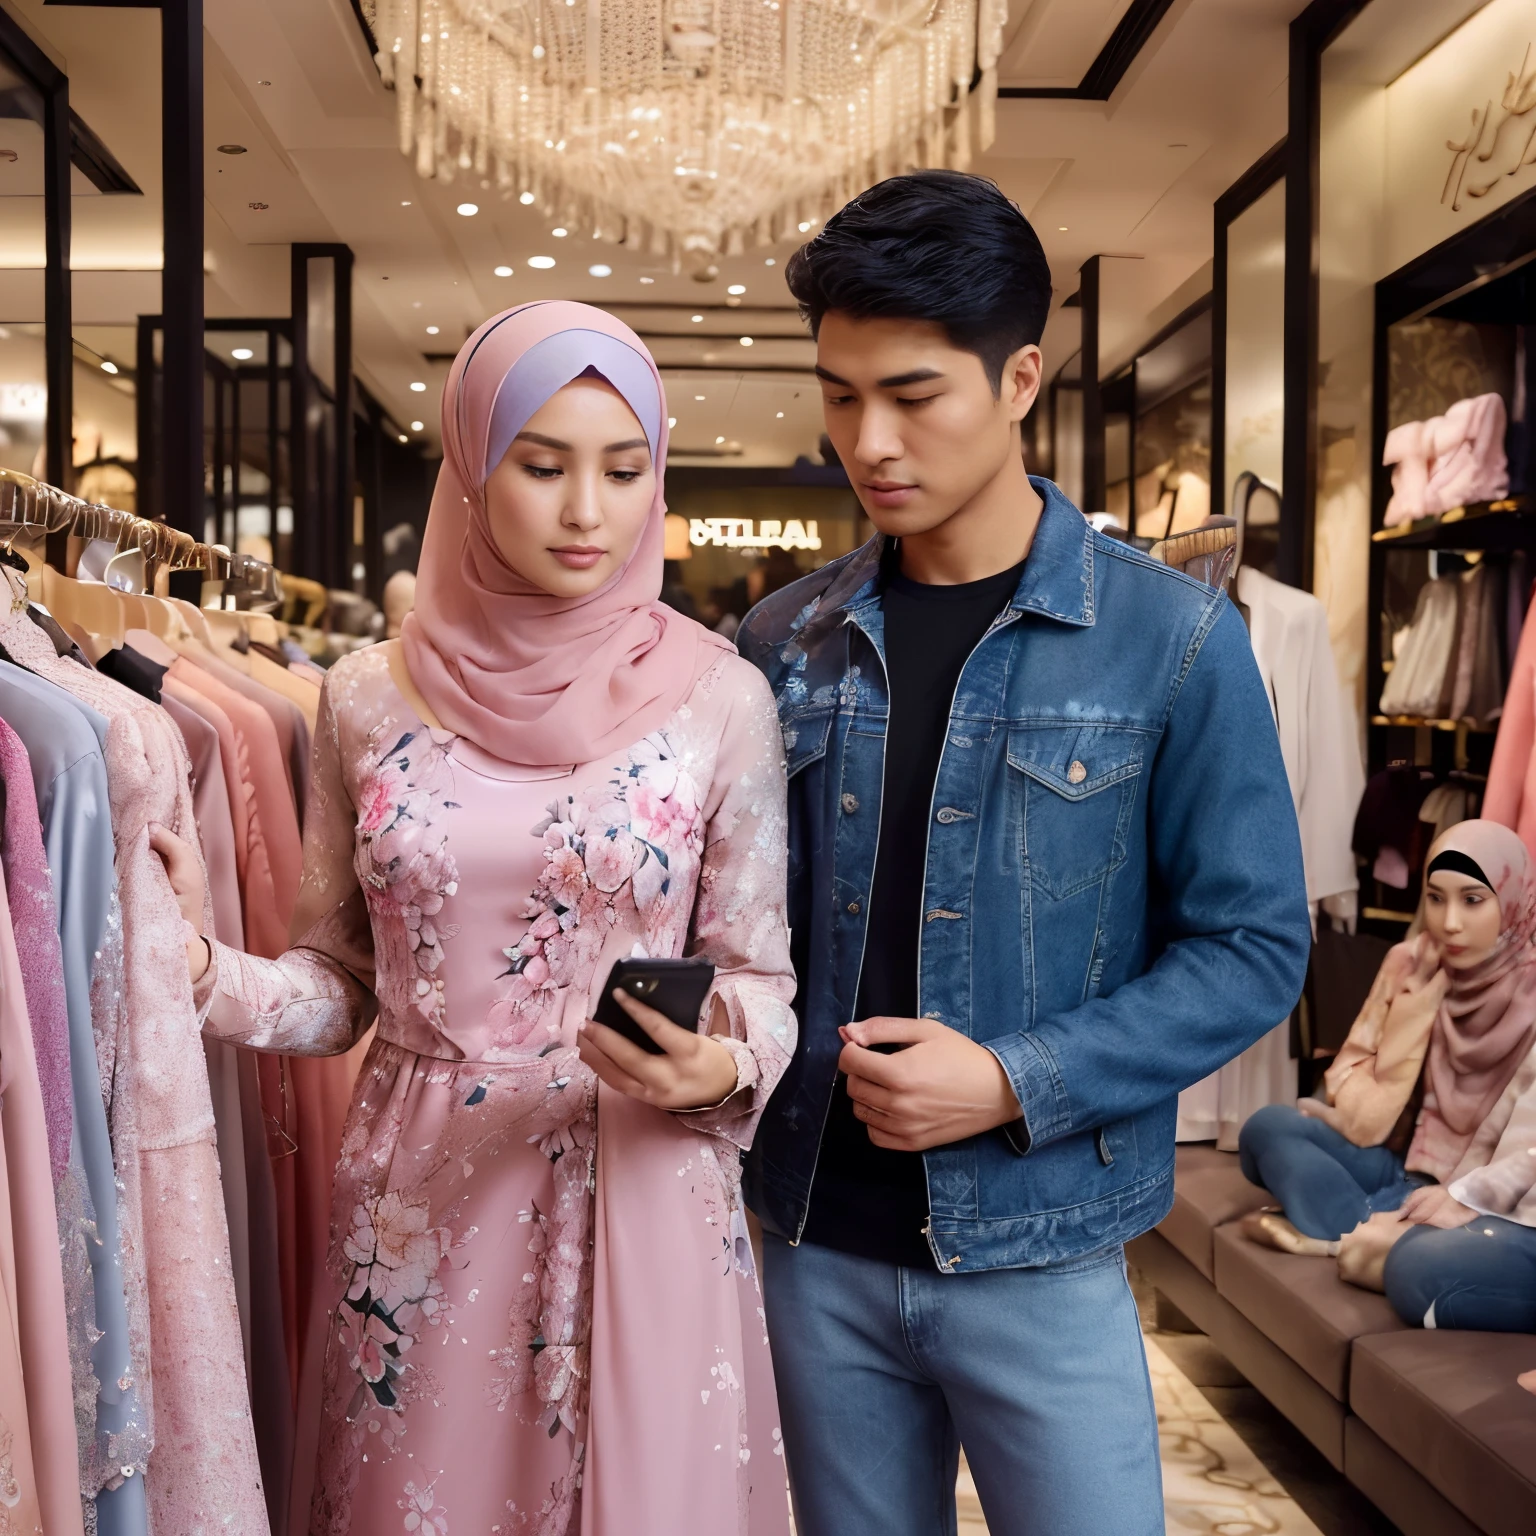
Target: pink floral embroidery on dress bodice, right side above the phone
634, 839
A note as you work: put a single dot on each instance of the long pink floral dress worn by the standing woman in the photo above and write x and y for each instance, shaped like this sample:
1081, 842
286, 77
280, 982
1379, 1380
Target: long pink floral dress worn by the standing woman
545, 1316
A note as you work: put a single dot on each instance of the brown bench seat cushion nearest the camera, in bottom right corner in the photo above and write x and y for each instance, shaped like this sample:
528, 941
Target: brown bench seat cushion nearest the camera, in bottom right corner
1448, 1405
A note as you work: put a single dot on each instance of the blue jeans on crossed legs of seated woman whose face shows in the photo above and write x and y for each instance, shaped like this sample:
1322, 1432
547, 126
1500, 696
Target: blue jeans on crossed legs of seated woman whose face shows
1325, 1183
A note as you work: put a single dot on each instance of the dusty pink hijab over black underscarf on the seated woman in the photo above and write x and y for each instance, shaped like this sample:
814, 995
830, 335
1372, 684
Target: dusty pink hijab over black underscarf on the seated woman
1488, 1022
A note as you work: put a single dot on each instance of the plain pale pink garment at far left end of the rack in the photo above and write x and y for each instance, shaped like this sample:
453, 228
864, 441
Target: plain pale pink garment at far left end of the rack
35, 1231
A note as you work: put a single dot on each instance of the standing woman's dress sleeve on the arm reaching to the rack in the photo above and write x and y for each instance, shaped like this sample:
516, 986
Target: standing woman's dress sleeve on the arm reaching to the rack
317, 999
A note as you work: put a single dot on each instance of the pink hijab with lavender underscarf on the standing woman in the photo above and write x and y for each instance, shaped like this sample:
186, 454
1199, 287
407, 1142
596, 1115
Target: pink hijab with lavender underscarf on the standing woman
535, 680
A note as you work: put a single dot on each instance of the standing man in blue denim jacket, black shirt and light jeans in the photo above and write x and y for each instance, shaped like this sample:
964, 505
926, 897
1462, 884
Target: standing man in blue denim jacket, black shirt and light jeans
1044, 875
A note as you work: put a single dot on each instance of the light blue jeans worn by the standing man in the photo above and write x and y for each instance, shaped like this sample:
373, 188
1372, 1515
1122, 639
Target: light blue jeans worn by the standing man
886, 1372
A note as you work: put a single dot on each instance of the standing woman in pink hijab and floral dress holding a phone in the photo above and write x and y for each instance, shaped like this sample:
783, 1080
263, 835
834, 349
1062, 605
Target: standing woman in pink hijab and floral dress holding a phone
545, 1313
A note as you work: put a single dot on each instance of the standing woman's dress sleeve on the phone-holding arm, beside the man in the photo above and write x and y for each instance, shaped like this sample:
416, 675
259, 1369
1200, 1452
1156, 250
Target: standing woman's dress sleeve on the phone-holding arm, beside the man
740, 912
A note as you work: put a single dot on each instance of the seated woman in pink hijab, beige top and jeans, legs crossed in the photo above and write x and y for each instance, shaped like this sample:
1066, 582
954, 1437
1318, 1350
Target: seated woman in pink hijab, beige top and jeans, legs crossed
1420, 1096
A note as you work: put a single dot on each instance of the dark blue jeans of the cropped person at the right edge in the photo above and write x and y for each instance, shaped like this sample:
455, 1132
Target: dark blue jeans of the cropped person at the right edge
1481, 1276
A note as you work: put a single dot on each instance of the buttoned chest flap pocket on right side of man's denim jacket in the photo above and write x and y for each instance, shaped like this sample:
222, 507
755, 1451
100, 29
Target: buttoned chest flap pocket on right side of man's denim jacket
1076, 787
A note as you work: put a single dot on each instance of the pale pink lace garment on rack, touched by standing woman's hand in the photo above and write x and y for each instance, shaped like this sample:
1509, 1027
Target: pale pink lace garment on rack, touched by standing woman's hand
162, 1122
